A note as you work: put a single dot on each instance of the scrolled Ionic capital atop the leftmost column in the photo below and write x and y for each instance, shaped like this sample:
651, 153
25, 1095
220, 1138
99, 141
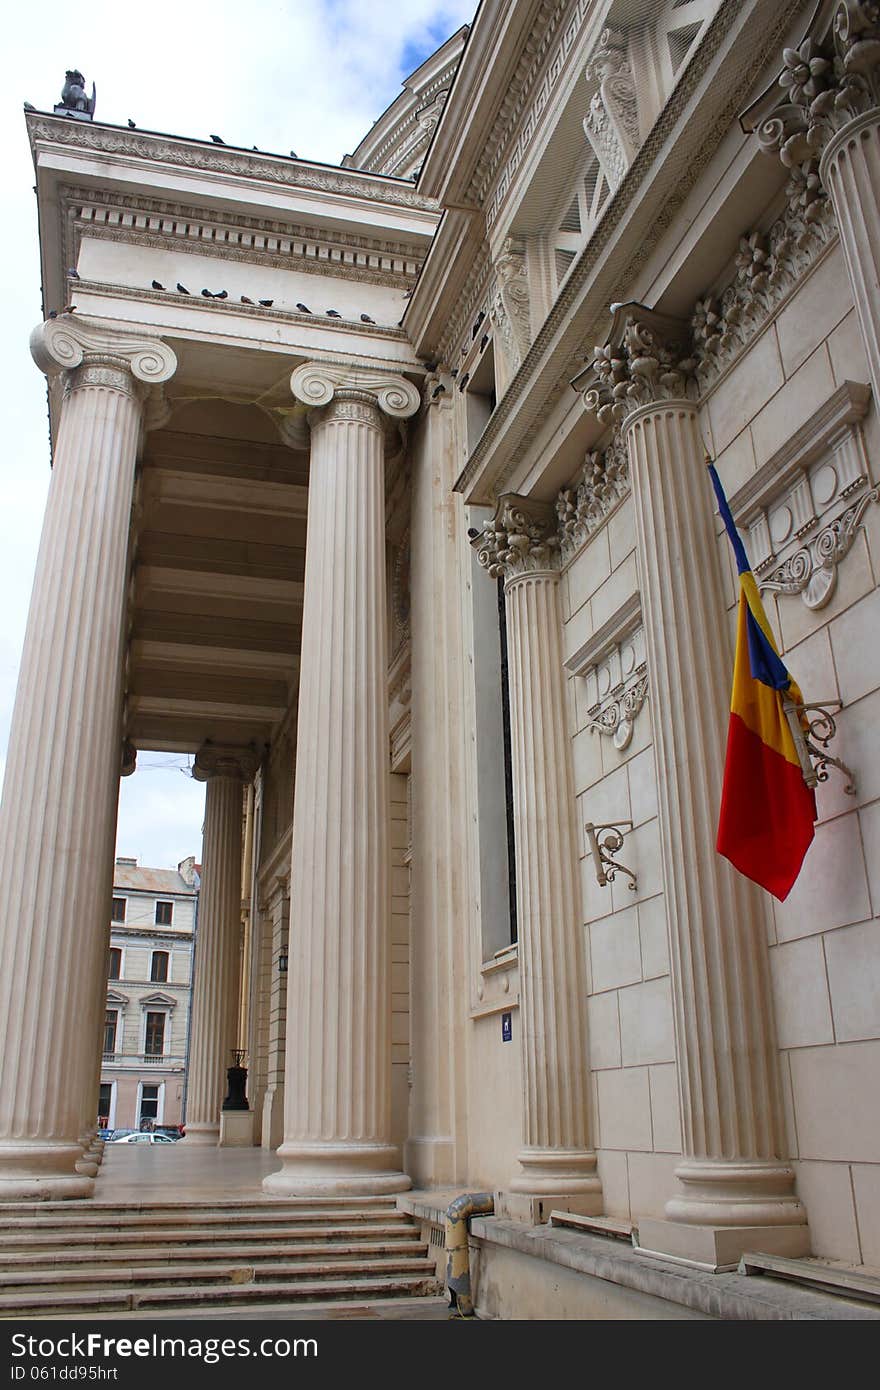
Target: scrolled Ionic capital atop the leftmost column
99, 357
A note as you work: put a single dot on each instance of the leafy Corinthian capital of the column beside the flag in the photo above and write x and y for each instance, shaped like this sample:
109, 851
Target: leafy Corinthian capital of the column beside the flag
647, 361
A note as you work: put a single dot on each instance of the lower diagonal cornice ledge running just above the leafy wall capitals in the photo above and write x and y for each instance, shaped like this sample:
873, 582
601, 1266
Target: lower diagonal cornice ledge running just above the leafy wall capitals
580, 311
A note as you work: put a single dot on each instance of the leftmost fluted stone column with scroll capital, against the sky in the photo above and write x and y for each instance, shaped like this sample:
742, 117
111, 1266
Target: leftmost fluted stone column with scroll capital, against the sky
63, 772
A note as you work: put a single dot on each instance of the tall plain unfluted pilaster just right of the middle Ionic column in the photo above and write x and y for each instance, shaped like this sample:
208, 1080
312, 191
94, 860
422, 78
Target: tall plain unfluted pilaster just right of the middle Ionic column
437, 782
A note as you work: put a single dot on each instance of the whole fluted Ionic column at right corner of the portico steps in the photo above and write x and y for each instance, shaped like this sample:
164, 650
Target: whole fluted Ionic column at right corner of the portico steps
337, 1115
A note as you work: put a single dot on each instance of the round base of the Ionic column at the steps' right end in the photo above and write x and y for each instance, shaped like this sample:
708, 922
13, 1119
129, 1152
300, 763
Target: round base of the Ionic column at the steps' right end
337, 1171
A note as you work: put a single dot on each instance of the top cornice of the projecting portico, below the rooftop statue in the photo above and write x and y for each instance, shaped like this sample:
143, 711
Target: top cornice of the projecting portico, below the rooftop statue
222, 159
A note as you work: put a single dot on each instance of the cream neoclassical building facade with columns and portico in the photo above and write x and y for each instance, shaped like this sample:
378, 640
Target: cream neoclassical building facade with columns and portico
382, 490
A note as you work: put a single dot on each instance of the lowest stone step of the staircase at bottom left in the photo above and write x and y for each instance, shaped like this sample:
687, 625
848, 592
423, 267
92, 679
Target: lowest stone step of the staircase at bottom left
226, 1298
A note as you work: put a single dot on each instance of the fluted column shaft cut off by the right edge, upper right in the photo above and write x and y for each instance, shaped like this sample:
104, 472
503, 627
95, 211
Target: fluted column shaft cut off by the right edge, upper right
852, 172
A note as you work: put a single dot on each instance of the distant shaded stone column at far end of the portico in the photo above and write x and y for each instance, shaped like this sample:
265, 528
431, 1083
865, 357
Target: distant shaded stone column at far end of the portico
218, 960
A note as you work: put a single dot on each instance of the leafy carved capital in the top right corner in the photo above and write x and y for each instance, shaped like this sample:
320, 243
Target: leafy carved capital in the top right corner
829, 79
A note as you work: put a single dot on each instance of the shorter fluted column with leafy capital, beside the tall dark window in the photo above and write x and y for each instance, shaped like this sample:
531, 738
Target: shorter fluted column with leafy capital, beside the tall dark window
558, 1167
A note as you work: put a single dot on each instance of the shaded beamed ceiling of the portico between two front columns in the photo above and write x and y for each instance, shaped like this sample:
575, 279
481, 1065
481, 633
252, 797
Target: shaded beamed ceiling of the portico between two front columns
218, 589
